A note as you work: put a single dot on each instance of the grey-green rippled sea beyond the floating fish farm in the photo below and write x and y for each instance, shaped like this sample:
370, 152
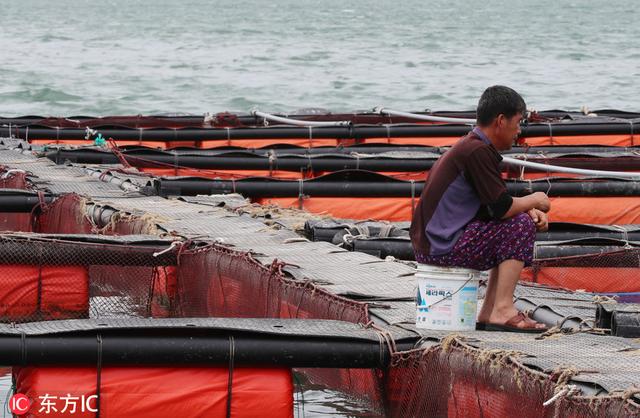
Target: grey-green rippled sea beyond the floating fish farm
91, 57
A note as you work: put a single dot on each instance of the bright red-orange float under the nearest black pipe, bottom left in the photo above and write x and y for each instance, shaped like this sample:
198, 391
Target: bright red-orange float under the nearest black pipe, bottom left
156, 391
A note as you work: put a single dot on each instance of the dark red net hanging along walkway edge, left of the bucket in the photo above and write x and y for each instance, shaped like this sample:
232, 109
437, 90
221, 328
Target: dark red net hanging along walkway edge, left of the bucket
216, 281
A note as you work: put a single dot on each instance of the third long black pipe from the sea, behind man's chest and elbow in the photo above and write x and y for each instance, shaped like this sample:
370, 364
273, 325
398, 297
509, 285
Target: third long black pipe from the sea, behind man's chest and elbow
375, 187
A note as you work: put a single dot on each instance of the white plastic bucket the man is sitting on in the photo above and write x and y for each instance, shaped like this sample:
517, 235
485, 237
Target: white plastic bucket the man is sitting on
447, 298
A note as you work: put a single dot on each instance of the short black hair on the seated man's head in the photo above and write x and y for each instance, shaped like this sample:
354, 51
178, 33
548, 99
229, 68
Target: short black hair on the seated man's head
498, 100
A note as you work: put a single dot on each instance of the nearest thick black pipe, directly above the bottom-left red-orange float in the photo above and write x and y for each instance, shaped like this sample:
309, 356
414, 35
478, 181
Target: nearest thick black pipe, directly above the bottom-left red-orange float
193, 348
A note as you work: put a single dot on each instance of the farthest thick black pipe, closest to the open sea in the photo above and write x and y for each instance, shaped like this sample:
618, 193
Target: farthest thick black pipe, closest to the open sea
348, 132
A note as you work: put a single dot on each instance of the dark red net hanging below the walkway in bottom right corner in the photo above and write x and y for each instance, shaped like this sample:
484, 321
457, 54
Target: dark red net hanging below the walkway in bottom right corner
452, 379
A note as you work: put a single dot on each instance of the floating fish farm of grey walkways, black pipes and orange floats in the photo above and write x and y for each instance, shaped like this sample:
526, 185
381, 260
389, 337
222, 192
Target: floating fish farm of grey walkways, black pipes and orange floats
192, 265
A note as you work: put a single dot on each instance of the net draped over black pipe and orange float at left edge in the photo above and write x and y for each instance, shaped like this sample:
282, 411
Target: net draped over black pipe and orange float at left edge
46, 277
